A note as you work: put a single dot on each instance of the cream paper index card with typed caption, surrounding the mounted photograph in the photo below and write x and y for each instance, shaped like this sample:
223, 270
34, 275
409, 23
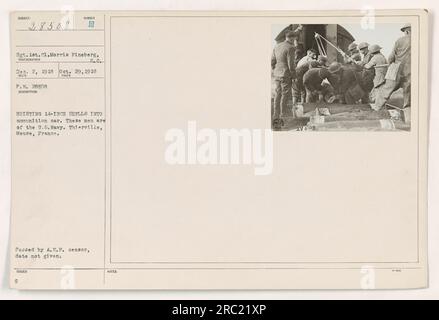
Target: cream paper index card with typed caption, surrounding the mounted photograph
144, 157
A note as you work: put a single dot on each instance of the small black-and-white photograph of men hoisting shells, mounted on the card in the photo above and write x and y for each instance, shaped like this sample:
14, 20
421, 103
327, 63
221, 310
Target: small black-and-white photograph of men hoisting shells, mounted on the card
333, 77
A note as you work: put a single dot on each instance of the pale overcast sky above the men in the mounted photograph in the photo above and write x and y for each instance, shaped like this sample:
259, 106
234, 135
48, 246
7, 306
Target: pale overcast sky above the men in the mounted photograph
384, 34
